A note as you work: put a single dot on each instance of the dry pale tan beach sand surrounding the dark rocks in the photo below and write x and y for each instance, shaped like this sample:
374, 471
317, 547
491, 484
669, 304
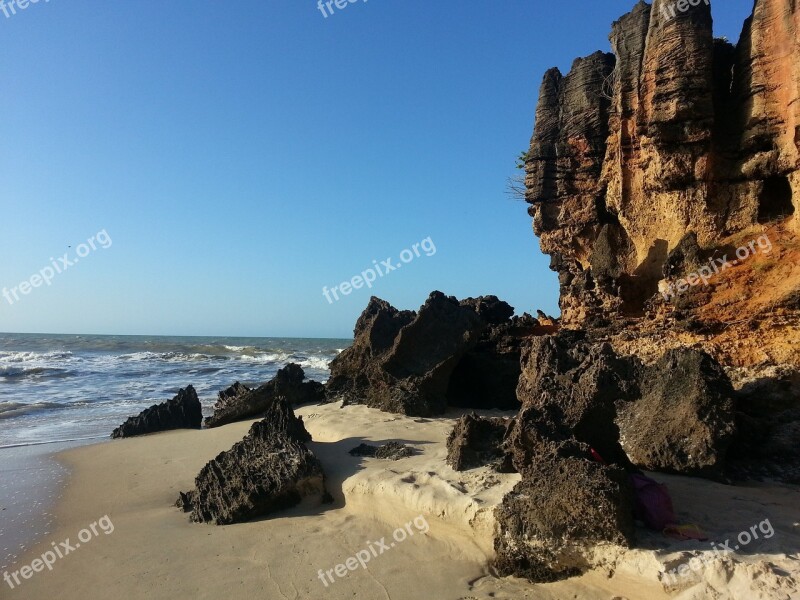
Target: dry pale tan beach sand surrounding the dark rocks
155, 552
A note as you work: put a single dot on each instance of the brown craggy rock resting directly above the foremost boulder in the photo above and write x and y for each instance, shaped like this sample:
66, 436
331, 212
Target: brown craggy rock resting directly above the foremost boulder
576, 384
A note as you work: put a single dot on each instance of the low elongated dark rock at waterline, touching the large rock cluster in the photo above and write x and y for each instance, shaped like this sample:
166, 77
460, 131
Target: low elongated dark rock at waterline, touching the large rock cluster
239, 402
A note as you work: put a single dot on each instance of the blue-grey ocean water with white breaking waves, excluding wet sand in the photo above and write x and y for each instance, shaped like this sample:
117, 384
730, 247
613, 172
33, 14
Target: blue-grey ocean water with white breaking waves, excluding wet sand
67, 387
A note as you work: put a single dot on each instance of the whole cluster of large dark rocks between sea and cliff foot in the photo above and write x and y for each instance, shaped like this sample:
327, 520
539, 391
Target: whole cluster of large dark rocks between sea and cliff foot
448, 353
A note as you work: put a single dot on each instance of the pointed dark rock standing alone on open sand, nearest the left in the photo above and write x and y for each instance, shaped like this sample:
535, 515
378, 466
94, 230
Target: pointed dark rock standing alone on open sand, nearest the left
269, 470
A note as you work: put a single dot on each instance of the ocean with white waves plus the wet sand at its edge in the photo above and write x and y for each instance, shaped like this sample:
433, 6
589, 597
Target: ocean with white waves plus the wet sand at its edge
61, 391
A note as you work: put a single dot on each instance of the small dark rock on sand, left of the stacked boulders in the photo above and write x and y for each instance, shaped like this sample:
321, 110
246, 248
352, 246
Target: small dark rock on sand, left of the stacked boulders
478, 441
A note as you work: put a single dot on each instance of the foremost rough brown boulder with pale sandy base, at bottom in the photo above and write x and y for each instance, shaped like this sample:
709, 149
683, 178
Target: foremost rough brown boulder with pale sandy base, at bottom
564, 506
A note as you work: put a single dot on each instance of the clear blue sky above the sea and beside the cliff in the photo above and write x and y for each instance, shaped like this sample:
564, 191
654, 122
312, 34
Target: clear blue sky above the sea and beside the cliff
242, 155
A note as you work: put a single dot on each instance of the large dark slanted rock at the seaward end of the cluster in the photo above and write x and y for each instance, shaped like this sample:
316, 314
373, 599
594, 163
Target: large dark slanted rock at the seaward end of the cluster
410, 372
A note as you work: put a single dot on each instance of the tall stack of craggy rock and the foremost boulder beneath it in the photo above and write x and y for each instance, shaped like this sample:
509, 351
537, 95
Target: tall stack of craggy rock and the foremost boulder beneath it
574, 493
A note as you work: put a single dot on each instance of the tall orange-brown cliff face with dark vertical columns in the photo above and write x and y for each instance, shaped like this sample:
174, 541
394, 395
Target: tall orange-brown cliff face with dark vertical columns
675, 139
